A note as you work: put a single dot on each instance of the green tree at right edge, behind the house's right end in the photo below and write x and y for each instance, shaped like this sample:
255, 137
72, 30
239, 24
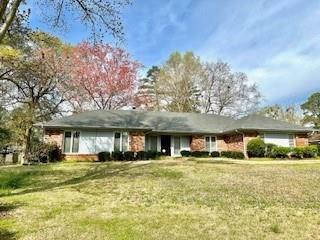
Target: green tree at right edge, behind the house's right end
311, 110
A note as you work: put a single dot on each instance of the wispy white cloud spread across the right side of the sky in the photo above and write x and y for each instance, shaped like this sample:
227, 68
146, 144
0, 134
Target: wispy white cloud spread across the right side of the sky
275, 43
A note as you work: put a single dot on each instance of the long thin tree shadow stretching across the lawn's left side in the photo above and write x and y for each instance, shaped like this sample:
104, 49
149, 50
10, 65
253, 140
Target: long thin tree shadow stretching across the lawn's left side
98, 172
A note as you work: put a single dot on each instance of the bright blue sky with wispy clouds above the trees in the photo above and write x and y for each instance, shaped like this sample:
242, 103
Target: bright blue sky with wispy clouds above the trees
276, 42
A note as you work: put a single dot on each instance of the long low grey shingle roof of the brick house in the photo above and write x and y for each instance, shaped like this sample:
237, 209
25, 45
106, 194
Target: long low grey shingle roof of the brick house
169, 122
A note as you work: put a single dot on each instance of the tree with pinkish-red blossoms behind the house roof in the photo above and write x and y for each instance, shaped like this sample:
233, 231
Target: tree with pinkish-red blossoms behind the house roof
101, 77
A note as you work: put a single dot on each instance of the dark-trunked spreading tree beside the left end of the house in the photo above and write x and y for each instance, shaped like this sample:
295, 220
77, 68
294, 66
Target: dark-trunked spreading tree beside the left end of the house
30, 83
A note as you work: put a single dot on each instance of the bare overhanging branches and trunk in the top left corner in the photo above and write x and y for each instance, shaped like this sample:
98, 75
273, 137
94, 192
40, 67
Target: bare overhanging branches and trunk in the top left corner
99, 16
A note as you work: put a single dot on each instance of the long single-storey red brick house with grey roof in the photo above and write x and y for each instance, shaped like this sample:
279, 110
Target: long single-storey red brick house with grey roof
82, 136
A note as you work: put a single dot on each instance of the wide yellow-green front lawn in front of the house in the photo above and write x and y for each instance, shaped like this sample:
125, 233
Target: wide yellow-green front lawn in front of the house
177, 199
